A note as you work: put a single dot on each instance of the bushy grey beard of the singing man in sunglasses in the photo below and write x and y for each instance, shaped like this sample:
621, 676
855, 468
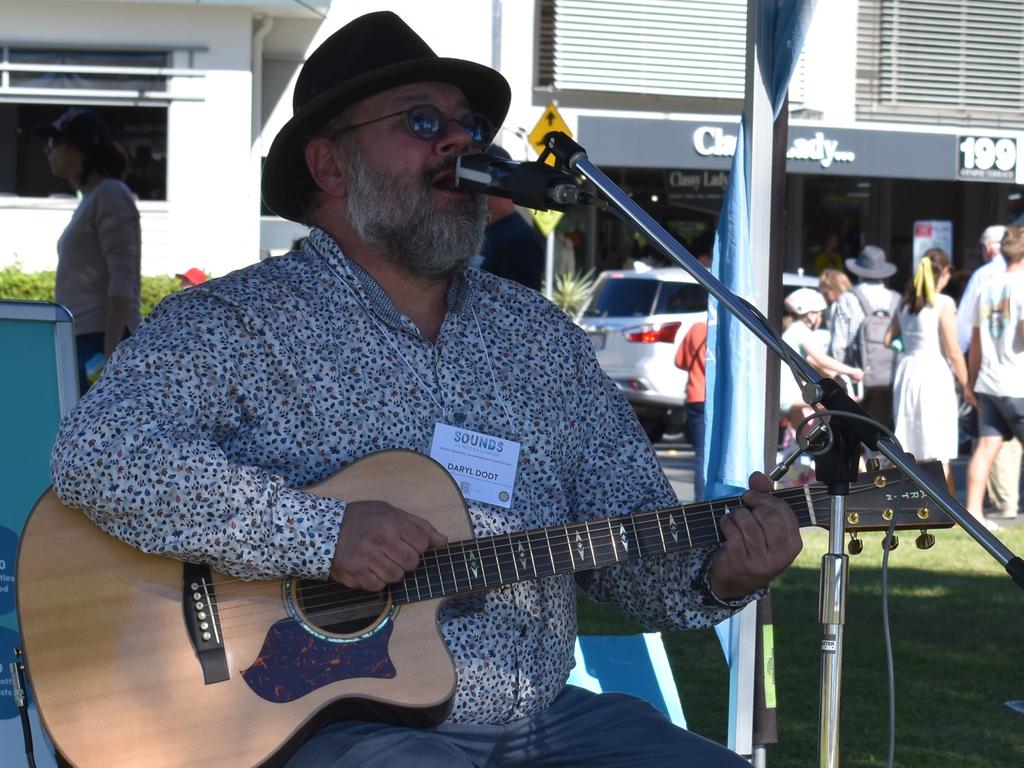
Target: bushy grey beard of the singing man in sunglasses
395, 216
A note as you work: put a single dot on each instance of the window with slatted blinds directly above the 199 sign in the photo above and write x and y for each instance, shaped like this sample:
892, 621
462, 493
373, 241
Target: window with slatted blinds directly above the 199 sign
942, 62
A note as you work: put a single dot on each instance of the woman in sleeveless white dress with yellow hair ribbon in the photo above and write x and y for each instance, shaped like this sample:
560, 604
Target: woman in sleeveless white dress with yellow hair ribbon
925, 406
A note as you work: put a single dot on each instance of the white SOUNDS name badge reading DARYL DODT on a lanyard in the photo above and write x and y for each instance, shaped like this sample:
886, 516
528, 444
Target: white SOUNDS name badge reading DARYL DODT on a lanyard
483, 466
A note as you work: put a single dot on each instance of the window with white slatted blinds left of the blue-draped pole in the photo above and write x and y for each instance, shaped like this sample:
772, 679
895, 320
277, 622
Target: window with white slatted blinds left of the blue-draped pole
664, 49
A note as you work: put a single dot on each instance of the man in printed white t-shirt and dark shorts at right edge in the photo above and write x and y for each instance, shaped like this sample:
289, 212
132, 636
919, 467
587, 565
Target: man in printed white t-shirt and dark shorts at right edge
997, 366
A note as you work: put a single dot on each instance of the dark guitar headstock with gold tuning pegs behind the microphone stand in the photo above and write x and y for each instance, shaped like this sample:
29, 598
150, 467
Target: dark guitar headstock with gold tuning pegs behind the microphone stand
872, 503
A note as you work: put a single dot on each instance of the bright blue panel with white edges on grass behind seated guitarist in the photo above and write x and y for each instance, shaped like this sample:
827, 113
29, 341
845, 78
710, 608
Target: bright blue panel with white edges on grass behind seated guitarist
629, 664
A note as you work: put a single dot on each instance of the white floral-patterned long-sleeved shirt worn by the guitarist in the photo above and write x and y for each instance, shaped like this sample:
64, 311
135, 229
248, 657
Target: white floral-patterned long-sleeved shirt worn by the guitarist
236, 395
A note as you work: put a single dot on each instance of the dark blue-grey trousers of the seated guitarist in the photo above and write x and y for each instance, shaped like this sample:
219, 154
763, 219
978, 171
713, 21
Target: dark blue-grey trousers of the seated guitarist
580, 730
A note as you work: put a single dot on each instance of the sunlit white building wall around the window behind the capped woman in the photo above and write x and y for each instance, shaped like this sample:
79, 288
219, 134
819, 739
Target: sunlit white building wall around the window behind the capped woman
210, 219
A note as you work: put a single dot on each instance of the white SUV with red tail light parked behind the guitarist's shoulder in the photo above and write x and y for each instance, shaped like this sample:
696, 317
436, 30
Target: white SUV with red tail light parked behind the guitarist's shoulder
636, 321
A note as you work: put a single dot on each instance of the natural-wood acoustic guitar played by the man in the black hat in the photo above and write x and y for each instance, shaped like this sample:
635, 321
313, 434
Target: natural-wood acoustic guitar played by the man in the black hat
142, 661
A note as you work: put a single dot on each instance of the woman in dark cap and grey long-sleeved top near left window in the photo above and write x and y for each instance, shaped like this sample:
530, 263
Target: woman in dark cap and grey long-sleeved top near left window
100, 252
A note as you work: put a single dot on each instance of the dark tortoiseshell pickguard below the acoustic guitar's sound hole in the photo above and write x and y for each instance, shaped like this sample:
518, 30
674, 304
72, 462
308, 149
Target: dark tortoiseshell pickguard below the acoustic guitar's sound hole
293, 663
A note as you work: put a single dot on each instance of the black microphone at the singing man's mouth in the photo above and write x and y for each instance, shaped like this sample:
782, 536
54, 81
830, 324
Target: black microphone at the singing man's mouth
533, 185
